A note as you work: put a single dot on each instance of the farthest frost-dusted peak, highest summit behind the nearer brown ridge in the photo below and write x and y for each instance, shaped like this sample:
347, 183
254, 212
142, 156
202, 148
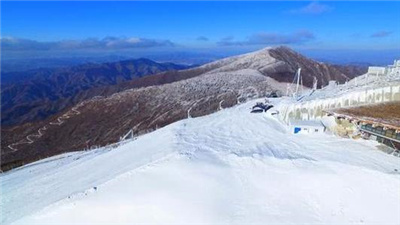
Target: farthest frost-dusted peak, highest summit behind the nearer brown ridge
281, 63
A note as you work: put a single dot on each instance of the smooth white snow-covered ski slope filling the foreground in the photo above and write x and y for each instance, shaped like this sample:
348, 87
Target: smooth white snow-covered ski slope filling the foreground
230, 167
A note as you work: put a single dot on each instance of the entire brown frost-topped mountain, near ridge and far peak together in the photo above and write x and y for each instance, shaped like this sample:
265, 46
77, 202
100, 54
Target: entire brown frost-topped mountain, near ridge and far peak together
154, 101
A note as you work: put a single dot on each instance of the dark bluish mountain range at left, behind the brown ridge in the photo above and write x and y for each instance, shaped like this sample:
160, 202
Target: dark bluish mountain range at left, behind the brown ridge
36, 94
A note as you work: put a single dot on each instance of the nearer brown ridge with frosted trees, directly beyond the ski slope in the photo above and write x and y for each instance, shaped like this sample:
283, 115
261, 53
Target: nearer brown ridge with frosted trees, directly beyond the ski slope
104, 120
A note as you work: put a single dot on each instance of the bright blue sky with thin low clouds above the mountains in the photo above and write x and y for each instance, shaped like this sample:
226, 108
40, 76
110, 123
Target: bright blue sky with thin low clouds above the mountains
44, 26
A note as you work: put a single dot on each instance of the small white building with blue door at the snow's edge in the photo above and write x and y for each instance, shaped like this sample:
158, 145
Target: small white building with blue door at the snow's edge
306, 126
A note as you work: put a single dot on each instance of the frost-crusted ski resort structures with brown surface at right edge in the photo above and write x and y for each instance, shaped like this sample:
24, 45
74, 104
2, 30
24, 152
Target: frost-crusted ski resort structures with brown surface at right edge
367, 106
